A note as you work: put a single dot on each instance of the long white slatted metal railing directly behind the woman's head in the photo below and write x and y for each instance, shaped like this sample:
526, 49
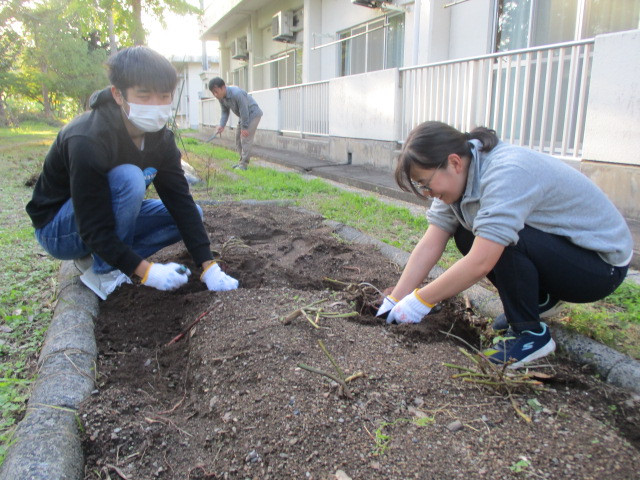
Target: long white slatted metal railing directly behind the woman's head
534, 97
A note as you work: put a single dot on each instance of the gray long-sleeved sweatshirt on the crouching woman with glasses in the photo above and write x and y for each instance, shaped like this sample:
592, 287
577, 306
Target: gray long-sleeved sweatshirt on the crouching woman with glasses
511, 186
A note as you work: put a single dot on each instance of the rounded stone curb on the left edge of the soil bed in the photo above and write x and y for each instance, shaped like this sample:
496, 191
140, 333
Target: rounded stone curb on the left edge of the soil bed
46, 444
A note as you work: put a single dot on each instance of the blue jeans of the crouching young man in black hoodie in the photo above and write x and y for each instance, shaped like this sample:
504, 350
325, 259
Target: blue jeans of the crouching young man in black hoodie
145, 225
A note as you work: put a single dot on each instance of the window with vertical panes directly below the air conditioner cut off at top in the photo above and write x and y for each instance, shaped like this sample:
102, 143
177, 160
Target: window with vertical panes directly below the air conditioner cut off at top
375, 45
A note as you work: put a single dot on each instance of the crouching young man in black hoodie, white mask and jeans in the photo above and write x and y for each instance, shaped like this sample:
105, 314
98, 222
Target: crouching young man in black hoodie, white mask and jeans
89, 199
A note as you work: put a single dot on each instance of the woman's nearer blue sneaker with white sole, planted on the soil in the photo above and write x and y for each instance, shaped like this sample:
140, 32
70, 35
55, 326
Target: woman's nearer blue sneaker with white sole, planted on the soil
521, 348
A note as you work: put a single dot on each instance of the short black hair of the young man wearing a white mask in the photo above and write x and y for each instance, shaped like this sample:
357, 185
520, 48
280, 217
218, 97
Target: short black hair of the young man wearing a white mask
141, 67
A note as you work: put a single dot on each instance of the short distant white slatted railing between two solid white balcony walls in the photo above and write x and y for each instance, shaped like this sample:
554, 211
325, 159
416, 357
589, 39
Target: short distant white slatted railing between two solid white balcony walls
304, 109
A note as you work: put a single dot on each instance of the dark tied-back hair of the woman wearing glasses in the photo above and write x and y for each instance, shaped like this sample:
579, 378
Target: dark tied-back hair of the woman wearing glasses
429, 145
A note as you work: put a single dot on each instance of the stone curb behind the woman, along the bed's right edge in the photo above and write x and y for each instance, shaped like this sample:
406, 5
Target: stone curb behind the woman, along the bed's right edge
615, 367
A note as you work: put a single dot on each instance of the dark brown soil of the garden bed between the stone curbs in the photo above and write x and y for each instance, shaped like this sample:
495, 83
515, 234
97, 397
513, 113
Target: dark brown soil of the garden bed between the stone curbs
230, 401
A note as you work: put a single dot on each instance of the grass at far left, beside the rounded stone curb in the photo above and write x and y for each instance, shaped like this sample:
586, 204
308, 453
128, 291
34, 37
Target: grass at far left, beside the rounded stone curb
27, 275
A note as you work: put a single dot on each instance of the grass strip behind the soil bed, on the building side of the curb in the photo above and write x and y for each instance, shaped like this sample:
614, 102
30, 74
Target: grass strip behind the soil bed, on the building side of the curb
614, 321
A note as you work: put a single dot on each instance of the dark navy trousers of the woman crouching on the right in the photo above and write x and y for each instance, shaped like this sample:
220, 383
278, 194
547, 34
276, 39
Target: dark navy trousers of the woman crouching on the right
540, 264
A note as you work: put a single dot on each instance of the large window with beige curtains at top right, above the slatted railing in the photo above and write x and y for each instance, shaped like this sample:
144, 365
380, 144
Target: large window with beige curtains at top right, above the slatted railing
530, 23
